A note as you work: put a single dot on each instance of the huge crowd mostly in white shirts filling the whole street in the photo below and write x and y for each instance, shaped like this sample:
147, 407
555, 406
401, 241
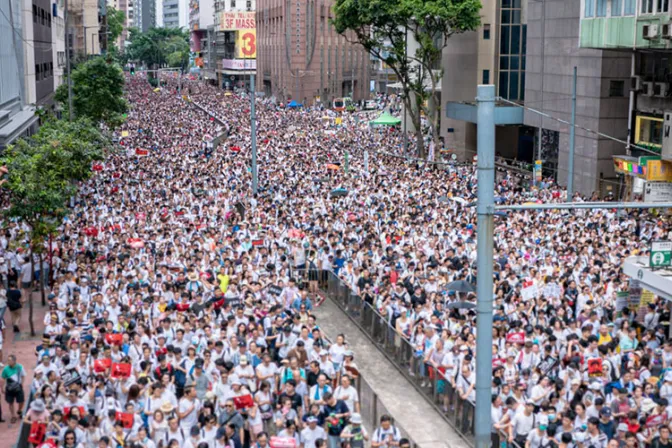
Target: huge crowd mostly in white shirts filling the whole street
180, 314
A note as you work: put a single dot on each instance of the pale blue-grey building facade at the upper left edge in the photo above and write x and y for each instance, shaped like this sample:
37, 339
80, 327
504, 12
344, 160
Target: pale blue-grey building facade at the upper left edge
17, 118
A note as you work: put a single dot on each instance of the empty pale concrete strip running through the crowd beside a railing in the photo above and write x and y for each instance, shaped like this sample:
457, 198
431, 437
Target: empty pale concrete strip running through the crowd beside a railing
411, 411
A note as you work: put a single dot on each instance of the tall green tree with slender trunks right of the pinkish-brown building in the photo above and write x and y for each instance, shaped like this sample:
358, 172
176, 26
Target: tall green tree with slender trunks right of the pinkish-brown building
383, 28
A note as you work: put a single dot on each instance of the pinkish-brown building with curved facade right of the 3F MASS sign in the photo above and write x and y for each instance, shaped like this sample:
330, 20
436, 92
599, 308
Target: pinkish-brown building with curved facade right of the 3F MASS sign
302, 58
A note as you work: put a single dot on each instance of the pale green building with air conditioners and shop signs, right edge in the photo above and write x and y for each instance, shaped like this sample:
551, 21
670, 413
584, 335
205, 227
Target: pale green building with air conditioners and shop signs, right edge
641, 33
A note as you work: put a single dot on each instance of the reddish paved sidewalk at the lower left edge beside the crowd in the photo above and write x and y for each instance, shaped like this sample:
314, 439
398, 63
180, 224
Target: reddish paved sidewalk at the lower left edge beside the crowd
23, 346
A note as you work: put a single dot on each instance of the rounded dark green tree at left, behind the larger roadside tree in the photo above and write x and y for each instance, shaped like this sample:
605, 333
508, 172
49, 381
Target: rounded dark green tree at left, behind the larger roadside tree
98, 91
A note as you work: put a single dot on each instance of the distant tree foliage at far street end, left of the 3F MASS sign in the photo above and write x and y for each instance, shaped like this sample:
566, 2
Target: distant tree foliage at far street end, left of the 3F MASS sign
159, 47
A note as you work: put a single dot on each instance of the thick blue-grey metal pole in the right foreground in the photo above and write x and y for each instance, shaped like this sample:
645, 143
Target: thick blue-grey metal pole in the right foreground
484, 259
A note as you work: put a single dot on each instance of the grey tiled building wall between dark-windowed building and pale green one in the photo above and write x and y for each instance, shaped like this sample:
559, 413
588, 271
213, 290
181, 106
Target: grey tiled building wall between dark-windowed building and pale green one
549, 83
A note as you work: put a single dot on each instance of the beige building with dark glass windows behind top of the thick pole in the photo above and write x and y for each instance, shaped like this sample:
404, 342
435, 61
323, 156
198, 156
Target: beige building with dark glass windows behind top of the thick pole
493, 54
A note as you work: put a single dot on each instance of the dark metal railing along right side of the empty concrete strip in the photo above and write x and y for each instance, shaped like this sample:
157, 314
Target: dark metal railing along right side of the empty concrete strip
426, 378
